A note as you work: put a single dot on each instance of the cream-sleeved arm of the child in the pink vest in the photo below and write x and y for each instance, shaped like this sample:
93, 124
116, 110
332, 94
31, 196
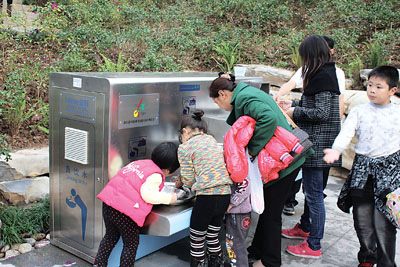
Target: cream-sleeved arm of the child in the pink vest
150, 191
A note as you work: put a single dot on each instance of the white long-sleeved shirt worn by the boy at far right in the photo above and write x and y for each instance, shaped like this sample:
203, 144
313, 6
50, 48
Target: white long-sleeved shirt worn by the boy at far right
376, 127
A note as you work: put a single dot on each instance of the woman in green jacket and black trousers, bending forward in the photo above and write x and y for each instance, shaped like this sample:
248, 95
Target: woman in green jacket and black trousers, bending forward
242, 99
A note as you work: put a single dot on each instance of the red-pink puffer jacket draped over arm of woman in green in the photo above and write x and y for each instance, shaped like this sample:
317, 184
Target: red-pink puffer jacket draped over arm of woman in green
273, 158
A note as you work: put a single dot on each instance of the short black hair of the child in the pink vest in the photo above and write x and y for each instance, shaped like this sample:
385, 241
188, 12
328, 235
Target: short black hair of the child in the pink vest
165, 156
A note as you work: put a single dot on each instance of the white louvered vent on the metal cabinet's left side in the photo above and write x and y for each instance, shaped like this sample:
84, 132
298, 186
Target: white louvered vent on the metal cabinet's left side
76, 145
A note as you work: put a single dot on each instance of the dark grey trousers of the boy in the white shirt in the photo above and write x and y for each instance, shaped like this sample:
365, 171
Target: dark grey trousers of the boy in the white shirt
376, 234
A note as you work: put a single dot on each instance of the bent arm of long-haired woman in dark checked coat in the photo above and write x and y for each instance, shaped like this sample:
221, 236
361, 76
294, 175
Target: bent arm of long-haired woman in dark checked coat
320, 112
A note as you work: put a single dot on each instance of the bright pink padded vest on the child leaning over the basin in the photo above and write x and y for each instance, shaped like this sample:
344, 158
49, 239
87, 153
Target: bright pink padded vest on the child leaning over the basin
123, 191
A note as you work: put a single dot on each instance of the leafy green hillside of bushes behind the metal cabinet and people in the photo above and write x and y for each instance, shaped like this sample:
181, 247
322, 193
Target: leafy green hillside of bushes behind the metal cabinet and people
176, 35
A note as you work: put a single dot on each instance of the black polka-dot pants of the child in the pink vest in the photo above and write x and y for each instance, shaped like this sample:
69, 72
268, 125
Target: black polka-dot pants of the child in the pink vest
118, 224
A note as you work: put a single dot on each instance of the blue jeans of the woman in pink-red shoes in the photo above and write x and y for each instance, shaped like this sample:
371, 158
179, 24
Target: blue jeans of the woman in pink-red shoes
313, 219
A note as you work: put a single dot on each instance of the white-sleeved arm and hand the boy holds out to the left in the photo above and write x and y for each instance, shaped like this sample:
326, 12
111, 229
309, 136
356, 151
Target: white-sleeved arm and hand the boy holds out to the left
347, 132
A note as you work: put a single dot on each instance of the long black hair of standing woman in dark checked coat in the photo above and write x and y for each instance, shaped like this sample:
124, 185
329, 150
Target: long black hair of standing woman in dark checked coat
314, 52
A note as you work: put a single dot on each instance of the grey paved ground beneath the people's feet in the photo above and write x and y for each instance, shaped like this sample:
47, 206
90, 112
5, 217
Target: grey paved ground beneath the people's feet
339, 245
